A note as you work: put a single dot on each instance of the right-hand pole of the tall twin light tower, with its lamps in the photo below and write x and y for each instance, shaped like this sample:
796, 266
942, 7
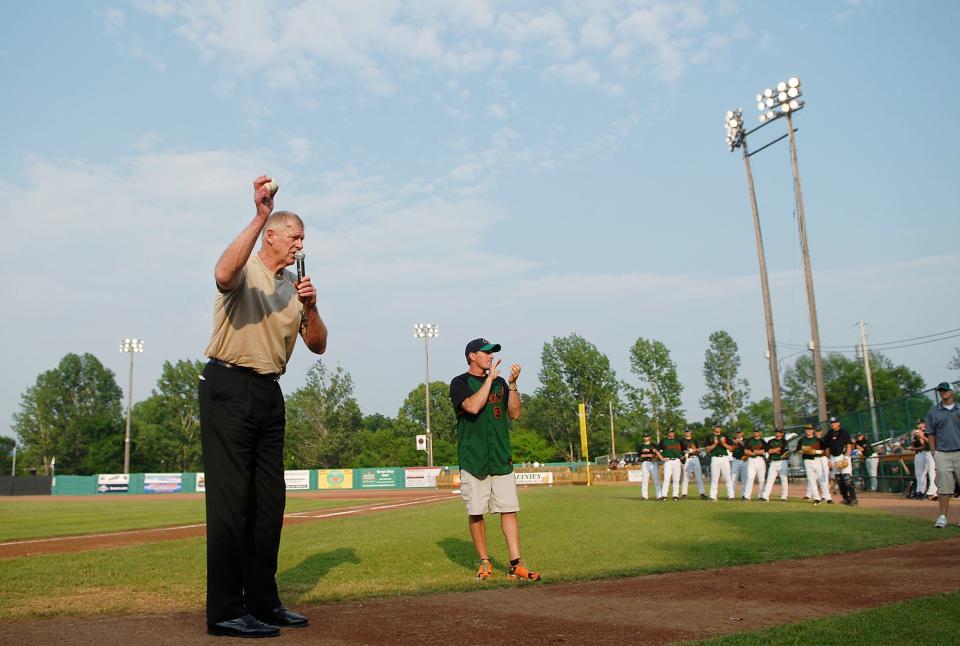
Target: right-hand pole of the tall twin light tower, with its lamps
774, 104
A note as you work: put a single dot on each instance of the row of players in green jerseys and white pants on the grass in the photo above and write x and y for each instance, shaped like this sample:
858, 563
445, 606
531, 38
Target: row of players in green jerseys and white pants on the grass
743, 463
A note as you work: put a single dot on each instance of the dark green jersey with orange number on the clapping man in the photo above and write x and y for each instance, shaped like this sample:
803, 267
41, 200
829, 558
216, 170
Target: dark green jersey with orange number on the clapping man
483, 440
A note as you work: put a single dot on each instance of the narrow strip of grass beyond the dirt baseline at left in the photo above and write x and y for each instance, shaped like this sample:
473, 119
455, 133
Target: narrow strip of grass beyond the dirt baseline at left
22, 520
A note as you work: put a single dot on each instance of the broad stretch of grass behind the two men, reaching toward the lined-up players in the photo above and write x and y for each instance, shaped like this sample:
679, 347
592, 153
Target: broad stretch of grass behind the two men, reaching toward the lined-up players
569, 534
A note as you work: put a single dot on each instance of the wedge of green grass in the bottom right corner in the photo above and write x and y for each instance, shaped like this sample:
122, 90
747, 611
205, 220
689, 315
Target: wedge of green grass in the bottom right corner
934, 620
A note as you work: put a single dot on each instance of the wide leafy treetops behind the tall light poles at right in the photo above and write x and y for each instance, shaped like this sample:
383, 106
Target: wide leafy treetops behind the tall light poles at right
845, 383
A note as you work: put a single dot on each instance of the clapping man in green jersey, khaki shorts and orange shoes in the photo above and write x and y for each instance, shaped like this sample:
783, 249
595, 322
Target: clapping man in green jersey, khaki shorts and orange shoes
485, 403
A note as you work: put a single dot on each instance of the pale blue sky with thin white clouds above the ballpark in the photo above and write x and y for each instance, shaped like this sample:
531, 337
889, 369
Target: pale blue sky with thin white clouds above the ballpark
516, 170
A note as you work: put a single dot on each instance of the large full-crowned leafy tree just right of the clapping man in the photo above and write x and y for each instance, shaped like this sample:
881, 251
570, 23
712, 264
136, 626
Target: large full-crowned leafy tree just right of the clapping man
572, 372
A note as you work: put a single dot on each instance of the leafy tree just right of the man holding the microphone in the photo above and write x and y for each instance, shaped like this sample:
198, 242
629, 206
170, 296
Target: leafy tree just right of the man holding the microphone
324, 421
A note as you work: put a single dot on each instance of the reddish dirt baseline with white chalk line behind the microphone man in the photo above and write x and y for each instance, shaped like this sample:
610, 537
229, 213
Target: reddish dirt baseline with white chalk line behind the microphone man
32, 547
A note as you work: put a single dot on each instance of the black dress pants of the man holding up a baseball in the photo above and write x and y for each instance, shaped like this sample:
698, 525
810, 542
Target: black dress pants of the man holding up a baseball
241, 426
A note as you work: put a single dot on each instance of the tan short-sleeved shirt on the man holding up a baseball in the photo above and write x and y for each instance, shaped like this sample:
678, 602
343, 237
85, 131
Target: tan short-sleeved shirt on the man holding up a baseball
256, 323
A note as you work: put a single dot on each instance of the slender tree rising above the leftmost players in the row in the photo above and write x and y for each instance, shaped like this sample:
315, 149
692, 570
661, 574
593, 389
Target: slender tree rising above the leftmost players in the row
660, 389
